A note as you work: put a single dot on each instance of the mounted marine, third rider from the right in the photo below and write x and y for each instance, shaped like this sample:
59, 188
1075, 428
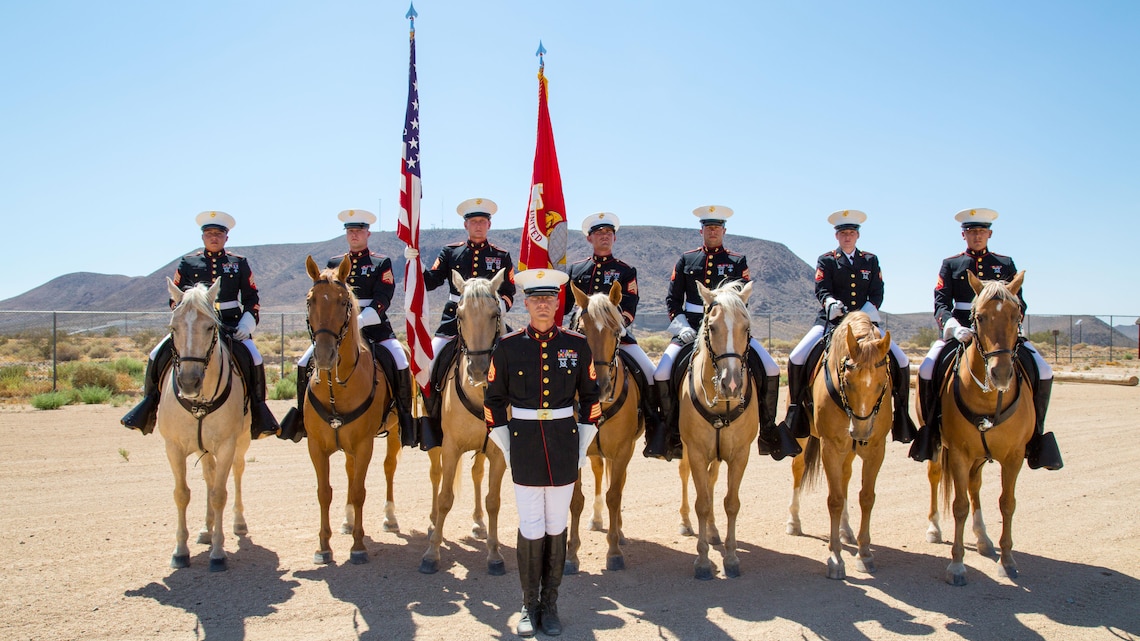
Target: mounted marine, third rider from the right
712, 265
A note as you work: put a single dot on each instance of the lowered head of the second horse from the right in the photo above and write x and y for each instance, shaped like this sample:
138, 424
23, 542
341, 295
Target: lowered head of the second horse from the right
859, 358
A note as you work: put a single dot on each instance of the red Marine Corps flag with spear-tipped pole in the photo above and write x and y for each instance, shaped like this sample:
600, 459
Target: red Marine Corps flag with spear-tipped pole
544, 234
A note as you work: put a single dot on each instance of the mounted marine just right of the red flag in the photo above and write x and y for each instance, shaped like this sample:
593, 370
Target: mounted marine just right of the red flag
597, 275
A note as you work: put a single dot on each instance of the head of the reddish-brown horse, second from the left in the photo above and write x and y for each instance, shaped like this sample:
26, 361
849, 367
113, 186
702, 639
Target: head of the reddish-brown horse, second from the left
332, 311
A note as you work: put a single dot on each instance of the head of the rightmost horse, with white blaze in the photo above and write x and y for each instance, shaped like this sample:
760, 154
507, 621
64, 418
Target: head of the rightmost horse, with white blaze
997, 315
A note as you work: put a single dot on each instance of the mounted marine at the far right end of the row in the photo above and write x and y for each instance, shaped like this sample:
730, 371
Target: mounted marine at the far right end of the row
954, 299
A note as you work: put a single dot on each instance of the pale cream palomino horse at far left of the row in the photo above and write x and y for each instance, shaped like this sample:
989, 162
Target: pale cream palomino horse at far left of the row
202, 410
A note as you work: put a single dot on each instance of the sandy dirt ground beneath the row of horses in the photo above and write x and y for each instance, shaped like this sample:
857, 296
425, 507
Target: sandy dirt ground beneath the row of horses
88, 526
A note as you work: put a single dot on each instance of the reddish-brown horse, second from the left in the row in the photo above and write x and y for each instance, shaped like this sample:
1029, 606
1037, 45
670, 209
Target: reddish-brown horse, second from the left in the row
346, 401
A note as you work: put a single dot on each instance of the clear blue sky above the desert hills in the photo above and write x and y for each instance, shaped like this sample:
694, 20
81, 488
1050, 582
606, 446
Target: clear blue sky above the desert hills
123, 120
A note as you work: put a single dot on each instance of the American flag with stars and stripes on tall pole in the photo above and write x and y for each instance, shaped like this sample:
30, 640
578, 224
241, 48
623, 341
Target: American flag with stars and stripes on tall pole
408, 230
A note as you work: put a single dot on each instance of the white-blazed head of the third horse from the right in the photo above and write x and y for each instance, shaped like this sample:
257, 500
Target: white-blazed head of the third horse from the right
726, 335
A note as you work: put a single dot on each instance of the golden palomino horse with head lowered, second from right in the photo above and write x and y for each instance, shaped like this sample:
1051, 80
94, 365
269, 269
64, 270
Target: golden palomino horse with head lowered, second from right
852, 415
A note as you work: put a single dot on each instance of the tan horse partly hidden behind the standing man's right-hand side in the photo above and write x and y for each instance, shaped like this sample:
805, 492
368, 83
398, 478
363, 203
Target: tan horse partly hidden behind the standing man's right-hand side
602, 324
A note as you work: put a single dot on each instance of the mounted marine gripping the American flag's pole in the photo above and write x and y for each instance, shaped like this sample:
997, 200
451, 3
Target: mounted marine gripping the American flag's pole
476, 257
